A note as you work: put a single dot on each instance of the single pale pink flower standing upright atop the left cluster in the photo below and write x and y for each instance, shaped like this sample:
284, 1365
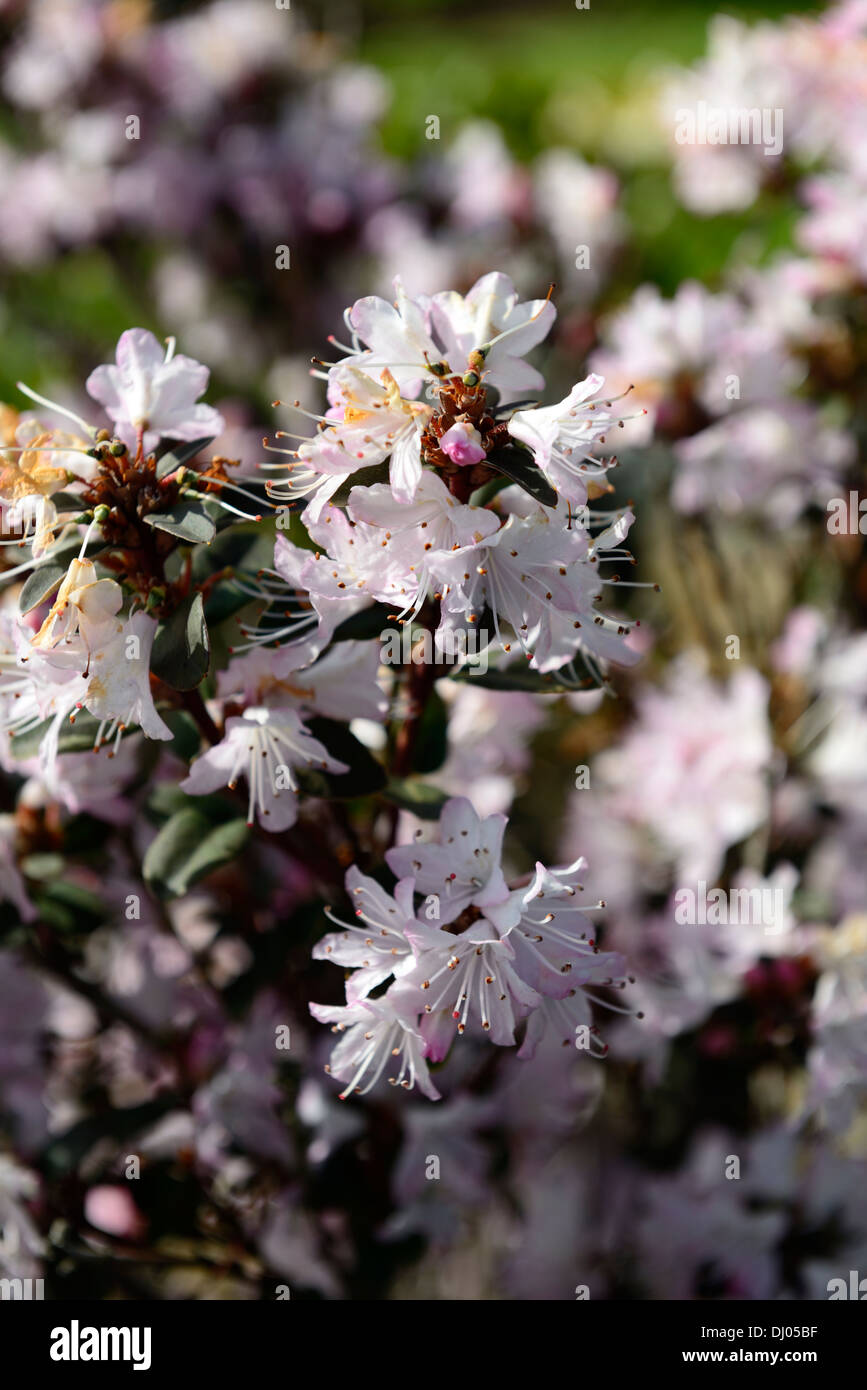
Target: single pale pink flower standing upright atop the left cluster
155, 393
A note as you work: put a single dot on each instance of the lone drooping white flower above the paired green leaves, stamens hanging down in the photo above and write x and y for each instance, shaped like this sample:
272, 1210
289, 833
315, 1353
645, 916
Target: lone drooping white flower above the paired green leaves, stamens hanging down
265, 746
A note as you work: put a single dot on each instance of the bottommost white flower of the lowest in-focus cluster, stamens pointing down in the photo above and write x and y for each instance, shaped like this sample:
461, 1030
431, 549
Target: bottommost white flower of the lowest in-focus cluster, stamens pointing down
379, 1035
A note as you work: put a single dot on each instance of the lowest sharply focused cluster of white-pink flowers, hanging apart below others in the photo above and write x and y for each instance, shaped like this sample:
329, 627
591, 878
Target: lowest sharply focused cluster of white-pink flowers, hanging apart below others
494, 958
